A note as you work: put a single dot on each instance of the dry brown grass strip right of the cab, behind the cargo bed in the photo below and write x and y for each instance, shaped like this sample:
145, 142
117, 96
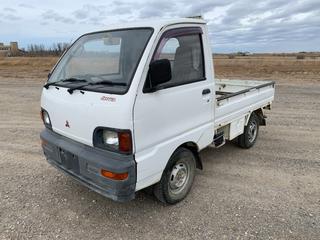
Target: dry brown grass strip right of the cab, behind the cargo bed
283, 69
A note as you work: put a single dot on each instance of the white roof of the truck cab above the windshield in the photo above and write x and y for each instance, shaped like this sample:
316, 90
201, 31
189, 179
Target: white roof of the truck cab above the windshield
155, 23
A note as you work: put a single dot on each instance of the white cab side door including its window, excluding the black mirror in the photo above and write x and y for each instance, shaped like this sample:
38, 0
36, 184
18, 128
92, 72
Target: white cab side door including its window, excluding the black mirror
182, 105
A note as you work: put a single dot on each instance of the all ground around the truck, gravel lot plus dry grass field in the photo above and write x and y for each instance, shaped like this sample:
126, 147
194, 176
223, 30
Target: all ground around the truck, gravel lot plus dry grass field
271, 191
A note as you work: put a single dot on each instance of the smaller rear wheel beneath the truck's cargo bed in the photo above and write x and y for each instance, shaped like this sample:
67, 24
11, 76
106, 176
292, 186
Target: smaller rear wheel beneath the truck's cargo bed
250, 133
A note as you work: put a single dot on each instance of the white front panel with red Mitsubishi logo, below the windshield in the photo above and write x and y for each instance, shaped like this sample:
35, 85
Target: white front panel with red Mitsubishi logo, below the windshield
77, 115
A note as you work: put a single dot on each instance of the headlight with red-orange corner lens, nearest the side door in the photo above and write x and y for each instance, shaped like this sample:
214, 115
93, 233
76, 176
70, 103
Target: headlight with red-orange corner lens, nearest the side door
113, 139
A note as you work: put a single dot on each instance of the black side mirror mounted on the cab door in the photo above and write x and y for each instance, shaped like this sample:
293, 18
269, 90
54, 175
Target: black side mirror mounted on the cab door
159, 72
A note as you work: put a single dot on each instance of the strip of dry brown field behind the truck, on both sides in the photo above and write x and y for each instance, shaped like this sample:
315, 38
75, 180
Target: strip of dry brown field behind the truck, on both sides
281, 68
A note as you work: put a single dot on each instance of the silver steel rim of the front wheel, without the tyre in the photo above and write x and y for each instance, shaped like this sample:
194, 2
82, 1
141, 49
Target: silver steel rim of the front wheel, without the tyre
179, 176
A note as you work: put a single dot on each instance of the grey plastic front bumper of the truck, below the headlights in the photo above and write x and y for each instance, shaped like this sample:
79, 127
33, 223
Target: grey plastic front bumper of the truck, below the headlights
84, 163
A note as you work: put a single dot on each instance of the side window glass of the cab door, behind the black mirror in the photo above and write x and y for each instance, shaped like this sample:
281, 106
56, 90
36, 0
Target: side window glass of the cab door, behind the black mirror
186, 58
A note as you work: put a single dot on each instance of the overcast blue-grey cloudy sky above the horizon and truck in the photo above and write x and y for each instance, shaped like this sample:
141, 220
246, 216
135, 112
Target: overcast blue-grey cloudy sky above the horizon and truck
234, 25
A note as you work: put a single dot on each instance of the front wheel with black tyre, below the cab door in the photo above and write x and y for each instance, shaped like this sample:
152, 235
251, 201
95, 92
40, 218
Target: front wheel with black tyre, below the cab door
177, 178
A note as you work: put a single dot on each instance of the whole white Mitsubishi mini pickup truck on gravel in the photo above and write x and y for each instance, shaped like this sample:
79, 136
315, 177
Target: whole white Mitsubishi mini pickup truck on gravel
130, 107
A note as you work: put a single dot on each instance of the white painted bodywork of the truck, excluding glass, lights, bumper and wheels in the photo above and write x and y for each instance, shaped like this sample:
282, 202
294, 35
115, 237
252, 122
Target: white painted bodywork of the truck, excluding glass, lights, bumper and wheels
160, 121
